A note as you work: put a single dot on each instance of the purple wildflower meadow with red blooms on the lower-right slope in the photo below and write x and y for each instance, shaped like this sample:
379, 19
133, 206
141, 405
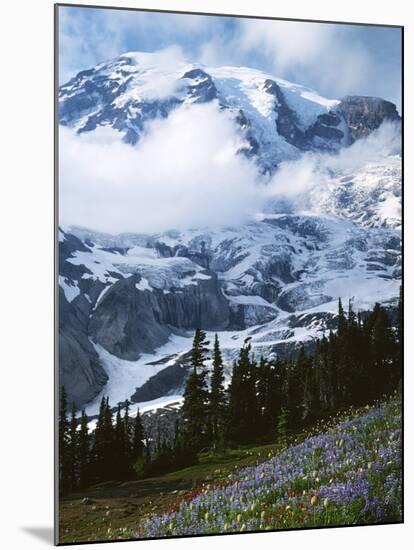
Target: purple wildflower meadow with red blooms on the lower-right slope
350, 474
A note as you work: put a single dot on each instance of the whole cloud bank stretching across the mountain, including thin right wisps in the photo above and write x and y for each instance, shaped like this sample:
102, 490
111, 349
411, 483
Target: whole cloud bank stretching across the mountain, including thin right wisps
185, 172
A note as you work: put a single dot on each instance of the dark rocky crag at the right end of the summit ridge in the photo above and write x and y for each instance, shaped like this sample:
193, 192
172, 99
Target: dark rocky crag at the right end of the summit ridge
365, 114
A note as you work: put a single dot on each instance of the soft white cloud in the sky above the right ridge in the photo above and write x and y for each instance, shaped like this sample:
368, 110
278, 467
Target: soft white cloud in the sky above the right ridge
322, 56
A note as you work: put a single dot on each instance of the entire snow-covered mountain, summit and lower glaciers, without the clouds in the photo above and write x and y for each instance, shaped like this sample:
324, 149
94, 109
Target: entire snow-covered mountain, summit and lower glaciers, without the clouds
129, 303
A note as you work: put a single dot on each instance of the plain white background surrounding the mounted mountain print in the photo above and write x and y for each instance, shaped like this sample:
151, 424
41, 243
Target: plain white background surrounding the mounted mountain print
26, 271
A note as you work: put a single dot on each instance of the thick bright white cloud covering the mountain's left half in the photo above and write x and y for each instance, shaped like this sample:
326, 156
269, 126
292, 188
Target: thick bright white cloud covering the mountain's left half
184, 172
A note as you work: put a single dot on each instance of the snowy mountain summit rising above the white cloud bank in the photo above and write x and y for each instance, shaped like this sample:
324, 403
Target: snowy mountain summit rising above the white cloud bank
277, 118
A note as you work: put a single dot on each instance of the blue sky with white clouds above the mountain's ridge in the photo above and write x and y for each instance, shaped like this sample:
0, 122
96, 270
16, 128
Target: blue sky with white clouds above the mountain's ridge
333, 59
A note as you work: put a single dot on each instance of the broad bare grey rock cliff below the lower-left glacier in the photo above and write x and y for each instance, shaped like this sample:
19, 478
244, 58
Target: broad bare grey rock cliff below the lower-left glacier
129, 321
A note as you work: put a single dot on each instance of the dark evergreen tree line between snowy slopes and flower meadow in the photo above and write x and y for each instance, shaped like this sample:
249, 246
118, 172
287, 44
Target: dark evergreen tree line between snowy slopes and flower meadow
266, 399
